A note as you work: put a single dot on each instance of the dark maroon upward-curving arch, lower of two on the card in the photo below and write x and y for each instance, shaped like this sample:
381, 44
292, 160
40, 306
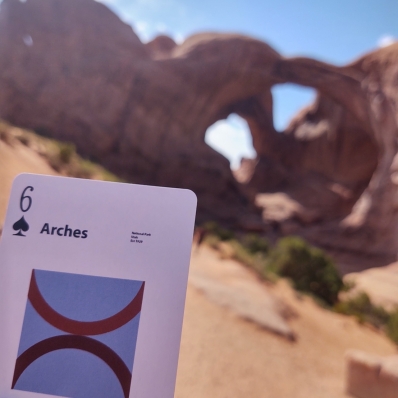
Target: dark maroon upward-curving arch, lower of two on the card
83, 343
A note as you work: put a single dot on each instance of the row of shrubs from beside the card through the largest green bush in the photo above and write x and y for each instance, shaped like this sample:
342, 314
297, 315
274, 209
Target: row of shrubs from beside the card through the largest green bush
310, 269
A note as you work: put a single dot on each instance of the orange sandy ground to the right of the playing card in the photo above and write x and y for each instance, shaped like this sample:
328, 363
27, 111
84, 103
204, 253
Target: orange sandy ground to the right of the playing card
224, 356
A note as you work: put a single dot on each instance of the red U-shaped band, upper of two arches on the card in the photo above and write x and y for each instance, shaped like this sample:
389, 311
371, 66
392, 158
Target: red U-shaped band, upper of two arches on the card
78, 327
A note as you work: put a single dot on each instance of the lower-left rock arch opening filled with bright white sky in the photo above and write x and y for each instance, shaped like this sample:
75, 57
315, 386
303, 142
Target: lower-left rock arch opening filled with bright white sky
231, 137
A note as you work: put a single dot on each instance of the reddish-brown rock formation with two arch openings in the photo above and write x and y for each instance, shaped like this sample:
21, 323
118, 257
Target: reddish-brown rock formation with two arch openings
72, 70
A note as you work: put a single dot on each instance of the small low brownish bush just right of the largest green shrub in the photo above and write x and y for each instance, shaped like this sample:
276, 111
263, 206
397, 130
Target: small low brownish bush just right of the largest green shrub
364, 310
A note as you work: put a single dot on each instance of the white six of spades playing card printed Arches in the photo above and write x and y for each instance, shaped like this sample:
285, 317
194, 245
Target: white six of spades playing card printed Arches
93, 278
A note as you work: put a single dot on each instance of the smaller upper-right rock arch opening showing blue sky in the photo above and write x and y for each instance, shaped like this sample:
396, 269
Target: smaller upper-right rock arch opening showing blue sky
288, 100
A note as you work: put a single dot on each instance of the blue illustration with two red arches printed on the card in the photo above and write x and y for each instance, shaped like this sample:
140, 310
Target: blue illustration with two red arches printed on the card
79, 335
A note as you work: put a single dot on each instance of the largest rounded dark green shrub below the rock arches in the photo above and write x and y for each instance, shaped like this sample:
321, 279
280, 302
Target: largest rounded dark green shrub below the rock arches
309, 268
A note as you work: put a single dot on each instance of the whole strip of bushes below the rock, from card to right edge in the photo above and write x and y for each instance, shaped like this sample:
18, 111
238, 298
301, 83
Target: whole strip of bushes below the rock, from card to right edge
310, 270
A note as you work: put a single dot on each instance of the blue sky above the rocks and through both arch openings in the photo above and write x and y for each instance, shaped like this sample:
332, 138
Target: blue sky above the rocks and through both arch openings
334, 31
